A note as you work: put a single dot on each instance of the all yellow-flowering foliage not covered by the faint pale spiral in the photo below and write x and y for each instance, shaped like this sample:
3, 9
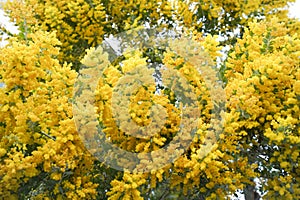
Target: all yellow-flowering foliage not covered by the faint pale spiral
42, 155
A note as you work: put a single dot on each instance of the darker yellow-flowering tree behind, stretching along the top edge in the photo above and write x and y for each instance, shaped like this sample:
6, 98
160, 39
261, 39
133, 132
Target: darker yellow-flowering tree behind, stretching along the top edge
82, 24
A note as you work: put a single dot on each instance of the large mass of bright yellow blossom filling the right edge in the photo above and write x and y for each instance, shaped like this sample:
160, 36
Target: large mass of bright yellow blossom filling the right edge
263, 80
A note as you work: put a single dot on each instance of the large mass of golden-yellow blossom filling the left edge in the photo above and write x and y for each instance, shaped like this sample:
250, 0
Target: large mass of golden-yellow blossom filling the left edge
38, 136
